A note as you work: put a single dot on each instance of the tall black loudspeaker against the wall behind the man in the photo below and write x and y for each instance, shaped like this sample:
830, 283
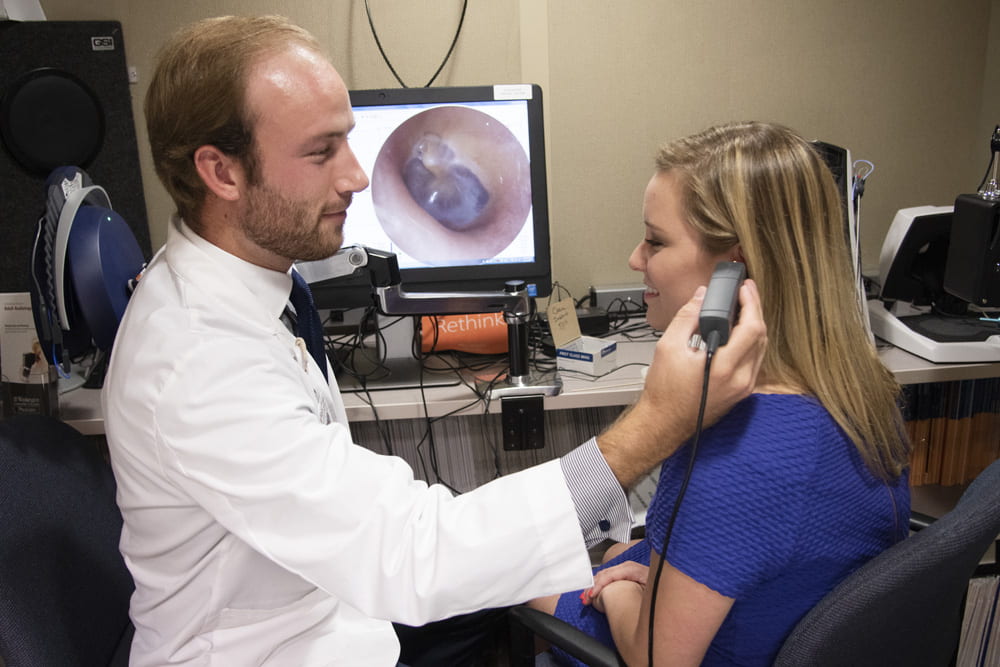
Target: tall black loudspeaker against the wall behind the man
64, 100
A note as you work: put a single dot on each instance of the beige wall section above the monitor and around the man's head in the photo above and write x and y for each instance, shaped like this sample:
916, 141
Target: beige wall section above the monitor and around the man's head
415, 34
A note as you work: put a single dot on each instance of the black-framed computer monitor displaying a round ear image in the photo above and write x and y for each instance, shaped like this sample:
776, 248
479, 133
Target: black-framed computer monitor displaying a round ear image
458, 187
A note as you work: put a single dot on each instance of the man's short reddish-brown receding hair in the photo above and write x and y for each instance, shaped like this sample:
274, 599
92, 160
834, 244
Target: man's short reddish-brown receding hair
197, 97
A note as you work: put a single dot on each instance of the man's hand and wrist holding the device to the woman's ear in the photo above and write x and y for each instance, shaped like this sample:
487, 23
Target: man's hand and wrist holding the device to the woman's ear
667, 411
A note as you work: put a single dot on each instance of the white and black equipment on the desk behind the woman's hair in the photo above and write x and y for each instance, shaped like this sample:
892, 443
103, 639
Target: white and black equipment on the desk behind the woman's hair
911, 270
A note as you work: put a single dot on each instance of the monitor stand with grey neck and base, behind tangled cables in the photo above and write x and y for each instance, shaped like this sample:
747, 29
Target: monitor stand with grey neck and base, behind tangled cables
398, 370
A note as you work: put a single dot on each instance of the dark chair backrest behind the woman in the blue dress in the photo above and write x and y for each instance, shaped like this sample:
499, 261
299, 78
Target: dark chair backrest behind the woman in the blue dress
904, 607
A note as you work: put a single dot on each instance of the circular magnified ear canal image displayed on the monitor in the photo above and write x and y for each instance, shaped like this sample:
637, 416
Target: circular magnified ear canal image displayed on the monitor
451, 184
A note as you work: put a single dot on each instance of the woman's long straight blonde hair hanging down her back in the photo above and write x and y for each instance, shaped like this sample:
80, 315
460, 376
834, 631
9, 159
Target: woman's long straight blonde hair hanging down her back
764, 187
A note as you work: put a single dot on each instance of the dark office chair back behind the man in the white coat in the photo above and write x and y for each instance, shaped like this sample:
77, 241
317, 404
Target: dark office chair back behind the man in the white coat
64, 588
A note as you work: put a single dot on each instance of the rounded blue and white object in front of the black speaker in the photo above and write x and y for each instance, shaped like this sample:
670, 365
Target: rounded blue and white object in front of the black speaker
84, 265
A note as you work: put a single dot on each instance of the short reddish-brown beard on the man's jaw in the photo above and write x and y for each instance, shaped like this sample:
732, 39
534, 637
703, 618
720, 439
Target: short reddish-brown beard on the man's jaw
286, 227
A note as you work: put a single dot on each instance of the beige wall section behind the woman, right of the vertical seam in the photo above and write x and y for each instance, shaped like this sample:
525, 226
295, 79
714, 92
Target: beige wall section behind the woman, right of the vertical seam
899, 83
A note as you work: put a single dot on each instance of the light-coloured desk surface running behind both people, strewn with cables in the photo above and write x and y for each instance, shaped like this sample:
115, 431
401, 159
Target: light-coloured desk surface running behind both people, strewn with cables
81, 408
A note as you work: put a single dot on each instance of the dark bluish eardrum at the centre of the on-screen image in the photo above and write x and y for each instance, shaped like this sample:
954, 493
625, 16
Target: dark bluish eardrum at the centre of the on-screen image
448, 190
